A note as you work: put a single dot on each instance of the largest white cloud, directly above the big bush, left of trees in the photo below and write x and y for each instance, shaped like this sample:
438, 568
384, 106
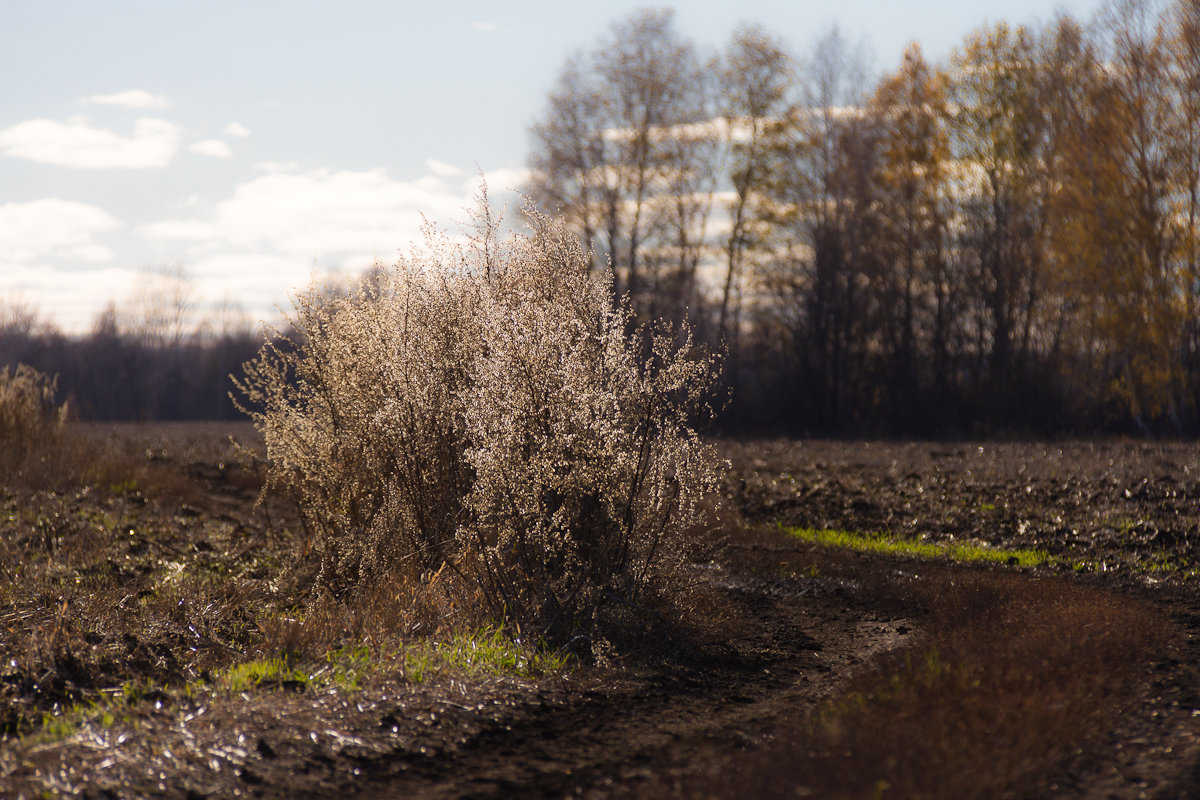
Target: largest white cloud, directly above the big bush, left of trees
279, 231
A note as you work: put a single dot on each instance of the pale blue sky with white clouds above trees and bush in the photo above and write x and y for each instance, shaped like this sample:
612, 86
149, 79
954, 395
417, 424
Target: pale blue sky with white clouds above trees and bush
256, 146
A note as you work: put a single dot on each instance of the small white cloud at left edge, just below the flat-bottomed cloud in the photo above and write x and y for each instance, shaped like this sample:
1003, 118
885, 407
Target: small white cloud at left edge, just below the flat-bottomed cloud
53, 228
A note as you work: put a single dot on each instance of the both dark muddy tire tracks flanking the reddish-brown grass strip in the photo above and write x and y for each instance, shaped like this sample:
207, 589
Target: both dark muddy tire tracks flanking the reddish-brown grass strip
801, 643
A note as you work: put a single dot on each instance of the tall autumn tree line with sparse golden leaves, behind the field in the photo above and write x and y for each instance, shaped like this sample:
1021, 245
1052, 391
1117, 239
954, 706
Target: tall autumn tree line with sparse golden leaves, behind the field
1004, 242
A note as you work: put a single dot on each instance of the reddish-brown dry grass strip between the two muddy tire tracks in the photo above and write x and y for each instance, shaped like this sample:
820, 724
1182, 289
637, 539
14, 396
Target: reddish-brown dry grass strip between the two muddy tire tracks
1013, 677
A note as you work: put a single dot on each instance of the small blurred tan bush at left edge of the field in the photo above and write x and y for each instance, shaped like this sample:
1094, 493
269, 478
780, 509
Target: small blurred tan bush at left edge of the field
32, 425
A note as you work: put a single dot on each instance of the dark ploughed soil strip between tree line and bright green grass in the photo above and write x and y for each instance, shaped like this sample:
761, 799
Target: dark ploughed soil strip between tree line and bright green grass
1114, 506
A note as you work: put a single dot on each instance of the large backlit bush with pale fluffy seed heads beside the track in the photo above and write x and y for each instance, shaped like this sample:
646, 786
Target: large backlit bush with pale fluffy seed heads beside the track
479, 414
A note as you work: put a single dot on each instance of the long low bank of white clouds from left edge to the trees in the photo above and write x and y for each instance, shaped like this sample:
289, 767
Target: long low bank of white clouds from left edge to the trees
269, 238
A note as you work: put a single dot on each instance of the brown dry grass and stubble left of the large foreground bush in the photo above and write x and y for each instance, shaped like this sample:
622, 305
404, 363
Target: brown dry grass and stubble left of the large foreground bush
112, 574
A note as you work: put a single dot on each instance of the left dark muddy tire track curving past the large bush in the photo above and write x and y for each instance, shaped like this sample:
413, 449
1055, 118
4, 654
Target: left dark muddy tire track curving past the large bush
795, 652
